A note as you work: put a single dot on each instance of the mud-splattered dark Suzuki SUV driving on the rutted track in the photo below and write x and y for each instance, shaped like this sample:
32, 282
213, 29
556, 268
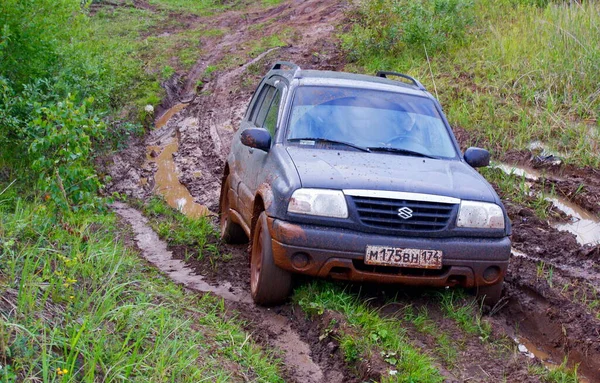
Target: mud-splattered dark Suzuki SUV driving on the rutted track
359, 178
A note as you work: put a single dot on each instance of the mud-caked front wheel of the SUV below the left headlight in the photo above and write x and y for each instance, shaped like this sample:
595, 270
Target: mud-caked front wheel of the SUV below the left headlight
269, 285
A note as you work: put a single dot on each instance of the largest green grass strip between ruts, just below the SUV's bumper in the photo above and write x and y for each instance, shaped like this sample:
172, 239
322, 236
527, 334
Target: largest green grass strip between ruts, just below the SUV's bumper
369, 333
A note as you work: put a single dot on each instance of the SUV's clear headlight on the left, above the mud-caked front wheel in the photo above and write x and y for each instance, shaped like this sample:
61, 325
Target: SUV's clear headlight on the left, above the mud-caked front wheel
323, 202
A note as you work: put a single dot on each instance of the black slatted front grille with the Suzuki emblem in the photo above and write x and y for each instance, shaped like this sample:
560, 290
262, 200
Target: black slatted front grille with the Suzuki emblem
389, 214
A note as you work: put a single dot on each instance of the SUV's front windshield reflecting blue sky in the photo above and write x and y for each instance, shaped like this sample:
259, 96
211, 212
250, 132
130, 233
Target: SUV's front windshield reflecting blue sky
375, 120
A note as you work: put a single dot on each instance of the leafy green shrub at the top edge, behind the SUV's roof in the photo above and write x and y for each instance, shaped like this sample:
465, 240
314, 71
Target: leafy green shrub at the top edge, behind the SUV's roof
401, 27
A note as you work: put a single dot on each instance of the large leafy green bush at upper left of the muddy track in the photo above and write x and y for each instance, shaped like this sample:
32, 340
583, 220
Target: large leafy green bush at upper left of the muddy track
57, 84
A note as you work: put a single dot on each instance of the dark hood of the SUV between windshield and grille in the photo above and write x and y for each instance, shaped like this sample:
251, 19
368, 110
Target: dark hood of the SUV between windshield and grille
343, 169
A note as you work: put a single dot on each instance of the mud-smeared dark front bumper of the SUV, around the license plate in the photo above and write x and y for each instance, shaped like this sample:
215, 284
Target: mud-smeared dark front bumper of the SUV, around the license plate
339, 254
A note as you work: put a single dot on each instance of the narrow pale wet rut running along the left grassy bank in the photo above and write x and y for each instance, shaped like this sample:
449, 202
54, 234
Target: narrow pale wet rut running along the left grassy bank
296, 353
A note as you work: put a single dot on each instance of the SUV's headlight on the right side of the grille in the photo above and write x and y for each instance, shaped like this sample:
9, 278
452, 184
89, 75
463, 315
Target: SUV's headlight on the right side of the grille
480, 215
